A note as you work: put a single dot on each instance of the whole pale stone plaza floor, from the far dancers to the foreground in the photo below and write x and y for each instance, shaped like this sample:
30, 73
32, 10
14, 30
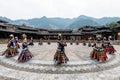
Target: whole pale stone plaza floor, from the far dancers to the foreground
42, 67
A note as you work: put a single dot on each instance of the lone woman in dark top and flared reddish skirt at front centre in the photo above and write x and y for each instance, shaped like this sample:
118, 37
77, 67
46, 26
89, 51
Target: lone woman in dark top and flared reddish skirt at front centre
60, 56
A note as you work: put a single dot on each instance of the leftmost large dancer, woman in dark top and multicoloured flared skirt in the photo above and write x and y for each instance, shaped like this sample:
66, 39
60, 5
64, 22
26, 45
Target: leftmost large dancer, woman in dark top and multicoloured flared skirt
11, 48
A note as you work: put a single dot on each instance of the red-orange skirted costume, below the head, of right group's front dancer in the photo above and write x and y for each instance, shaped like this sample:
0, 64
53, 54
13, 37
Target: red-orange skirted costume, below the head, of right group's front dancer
99, 52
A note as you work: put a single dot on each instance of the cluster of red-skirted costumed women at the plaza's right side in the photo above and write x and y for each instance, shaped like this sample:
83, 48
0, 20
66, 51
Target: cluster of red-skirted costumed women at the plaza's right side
101, 48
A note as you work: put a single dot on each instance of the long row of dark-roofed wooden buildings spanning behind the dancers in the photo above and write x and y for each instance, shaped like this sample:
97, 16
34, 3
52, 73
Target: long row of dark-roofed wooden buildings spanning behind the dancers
83, 33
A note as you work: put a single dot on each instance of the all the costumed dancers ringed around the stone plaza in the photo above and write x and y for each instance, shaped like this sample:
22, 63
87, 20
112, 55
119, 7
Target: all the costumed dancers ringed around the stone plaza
101, 47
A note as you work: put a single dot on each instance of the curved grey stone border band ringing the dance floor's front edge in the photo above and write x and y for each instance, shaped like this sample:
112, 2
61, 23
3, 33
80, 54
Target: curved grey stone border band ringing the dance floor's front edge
61, 69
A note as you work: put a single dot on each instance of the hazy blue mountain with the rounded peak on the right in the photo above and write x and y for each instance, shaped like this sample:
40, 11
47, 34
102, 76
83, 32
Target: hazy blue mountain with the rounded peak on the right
90, 21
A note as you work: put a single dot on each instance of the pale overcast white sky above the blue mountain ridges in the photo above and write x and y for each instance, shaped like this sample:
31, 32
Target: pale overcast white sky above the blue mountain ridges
27, 9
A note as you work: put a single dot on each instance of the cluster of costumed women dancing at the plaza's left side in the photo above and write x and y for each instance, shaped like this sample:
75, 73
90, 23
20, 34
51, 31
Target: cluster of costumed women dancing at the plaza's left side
13, 46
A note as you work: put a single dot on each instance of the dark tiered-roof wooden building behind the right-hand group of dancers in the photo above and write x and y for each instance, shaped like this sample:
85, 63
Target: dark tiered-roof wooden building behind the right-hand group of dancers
90, 32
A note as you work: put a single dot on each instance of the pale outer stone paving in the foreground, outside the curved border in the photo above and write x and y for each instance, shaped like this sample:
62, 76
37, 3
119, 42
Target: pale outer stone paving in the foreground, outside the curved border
112, 74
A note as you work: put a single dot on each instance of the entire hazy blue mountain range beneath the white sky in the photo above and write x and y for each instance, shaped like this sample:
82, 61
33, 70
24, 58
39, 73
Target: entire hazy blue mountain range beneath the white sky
63, 23
